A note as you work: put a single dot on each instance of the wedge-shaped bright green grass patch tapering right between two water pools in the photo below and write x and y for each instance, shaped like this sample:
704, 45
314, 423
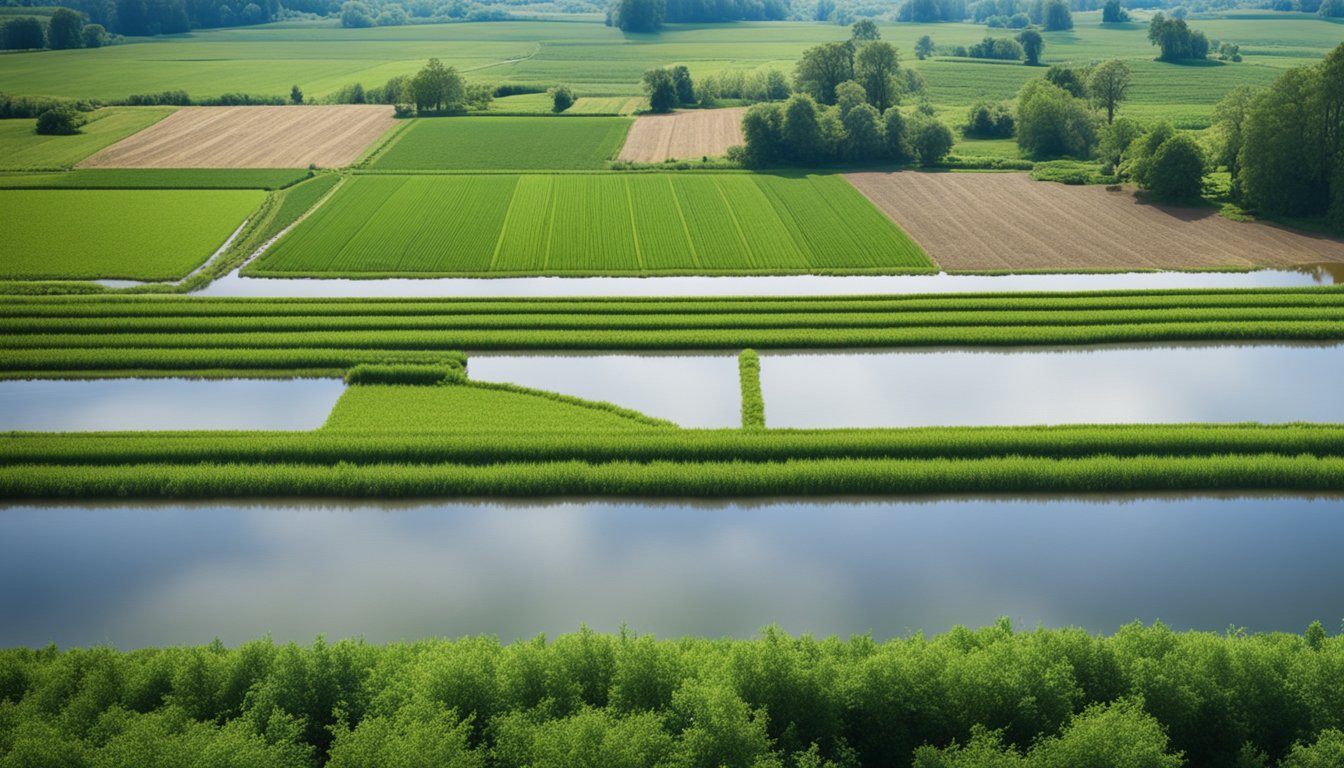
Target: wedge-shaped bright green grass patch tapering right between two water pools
474, 408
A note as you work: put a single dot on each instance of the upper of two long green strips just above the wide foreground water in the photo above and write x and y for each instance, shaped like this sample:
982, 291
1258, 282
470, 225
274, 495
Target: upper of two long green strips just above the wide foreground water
448, 446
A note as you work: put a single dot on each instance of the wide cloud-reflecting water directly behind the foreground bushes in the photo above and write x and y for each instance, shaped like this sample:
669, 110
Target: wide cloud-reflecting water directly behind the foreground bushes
163, 575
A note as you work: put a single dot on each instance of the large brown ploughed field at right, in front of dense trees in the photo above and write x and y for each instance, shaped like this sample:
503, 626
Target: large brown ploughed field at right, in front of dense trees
1009, 223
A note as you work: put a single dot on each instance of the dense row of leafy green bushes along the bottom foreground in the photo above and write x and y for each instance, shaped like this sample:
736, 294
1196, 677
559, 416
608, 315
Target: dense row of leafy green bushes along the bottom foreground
1146, 697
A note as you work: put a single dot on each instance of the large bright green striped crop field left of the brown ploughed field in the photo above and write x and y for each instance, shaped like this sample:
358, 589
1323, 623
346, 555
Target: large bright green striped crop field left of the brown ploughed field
595, 224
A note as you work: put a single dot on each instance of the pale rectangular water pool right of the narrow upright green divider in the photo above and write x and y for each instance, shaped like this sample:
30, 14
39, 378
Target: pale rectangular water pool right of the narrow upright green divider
1100, 385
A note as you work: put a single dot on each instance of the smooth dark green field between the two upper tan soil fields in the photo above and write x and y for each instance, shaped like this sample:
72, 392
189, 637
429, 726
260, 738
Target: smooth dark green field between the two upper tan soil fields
505, 143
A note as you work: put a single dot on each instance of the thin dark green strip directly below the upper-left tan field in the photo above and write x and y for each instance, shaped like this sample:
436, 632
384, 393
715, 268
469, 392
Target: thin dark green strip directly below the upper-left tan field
157, 180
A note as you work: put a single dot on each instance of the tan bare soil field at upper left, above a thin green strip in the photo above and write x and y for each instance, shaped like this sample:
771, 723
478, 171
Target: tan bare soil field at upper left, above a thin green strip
251, 138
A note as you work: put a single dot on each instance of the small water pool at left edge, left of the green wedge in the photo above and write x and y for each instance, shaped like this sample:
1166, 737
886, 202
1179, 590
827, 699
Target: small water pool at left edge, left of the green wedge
166, 404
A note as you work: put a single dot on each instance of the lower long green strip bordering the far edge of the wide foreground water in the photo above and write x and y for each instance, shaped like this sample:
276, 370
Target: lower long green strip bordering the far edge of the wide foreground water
841, 477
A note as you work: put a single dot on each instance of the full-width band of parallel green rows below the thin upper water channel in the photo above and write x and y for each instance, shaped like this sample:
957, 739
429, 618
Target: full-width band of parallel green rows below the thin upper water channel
138, 336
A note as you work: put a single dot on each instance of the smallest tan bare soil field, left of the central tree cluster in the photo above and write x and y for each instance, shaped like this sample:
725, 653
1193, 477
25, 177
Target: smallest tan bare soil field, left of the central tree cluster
683, 135
